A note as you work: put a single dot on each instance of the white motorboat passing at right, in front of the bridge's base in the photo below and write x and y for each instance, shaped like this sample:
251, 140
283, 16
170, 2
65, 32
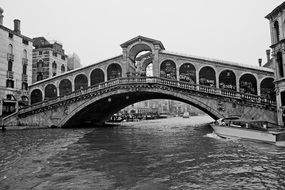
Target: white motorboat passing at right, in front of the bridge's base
254, 130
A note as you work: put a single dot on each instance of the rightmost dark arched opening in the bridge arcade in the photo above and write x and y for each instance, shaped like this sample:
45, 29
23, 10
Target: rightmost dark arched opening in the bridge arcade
267, 88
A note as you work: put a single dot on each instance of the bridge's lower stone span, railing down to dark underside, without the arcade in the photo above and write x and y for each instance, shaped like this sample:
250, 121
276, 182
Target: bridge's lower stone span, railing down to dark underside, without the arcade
96, 104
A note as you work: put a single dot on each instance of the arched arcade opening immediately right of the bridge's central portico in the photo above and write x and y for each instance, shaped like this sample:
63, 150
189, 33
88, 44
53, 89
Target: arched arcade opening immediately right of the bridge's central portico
168, 69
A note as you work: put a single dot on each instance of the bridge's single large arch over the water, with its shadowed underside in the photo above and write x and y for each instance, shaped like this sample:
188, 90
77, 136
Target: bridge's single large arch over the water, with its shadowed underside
99, 105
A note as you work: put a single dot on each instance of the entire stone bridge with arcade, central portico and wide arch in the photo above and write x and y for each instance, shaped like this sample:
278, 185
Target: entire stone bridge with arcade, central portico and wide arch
145, 71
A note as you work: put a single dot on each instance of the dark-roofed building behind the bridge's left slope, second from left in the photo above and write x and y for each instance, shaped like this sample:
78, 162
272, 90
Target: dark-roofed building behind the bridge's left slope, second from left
49, 59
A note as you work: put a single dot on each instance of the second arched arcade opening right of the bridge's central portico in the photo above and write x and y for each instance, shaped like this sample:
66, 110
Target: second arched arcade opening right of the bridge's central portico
187, 73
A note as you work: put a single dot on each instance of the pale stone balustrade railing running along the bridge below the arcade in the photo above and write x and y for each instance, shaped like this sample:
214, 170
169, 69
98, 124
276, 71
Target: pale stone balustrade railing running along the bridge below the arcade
155, 80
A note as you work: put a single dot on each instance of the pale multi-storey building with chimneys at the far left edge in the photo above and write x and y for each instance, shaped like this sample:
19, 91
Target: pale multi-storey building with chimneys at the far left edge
15, 67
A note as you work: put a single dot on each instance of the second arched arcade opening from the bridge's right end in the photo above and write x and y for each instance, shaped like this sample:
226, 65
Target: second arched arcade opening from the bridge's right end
248, 84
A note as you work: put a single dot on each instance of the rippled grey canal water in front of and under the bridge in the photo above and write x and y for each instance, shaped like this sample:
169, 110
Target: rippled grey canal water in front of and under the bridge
175, 153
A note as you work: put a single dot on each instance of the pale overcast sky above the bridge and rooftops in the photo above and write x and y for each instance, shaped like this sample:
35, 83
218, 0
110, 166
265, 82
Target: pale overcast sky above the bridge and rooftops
231, 30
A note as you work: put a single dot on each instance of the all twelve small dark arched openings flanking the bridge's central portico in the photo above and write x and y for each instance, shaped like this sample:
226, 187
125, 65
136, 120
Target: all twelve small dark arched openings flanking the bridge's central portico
207, 77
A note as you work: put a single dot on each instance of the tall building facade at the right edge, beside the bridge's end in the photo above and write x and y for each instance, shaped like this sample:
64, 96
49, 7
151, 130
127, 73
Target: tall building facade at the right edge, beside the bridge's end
277, 31
